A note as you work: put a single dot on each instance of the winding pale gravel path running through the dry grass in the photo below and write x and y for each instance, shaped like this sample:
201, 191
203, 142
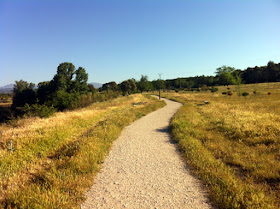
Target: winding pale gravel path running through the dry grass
144, 170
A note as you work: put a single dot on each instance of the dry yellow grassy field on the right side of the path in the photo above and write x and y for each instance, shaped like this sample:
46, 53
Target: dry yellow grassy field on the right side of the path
232, 143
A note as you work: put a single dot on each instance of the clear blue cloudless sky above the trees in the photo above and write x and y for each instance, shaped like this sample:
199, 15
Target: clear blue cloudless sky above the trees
117, 40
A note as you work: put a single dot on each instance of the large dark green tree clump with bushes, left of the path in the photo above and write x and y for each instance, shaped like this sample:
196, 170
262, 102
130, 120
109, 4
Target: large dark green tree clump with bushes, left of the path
64, 91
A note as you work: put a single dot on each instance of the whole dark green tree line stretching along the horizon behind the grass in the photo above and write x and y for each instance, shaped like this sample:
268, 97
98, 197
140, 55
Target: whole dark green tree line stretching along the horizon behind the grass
69, 88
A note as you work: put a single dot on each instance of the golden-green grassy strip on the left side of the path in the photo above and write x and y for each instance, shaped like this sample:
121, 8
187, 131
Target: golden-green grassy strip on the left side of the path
49, 163
